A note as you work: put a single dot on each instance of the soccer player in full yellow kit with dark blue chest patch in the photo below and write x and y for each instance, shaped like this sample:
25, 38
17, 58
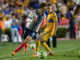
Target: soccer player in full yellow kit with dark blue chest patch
50, 30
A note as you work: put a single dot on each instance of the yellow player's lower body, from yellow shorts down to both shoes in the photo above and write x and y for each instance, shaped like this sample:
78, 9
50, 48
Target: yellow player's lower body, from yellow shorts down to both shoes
45, 36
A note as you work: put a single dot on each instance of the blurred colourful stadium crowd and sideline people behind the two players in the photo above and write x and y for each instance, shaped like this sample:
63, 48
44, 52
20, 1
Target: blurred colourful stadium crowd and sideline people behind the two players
14, 13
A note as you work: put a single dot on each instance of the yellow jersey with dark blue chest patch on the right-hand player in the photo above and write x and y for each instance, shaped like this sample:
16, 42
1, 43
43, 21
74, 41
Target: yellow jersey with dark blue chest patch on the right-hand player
51, 20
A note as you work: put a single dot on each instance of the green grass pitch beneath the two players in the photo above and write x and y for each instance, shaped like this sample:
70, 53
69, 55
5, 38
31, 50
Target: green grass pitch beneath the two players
66, 50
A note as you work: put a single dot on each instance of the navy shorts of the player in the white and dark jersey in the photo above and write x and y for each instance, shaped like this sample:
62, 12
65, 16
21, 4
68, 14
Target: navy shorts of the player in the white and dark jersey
28, 32
